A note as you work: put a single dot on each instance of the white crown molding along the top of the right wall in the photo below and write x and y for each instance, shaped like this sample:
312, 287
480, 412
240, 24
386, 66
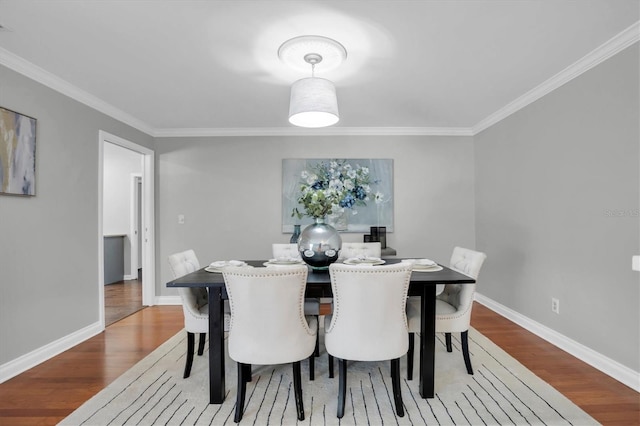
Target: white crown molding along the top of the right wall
618, 43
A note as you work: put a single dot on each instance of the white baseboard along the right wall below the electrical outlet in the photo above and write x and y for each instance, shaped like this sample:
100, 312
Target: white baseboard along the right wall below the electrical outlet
614, 369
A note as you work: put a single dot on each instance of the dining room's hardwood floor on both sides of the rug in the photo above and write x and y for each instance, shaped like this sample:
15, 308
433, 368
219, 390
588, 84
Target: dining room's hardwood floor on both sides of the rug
49, 392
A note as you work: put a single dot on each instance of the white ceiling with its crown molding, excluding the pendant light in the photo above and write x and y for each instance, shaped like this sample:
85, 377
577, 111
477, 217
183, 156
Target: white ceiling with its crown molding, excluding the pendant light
211, 67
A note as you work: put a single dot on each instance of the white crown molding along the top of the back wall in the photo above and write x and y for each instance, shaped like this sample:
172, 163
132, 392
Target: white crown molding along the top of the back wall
327, 131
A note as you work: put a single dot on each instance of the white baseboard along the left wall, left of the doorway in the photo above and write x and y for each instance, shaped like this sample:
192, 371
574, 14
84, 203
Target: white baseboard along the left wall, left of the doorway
33, 358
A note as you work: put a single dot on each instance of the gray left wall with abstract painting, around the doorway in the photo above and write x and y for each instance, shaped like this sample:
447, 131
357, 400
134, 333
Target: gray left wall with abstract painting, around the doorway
49, 243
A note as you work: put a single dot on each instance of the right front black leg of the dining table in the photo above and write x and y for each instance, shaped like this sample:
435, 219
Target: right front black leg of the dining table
427, 341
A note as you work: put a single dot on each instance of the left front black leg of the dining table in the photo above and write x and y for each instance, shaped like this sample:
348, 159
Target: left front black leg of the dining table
216, 346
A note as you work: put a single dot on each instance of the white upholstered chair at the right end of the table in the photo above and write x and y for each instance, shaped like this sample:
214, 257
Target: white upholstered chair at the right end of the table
453, 306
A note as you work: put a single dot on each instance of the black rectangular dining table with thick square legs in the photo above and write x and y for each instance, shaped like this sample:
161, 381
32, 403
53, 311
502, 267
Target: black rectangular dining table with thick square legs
422, 284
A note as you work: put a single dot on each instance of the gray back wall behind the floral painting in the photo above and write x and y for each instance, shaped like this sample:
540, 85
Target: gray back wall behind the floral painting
230, 190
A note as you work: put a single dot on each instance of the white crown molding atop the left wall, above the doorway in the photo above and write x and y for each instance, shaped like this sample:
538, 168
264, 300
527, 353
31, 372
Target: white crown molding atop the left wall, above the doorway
54, 82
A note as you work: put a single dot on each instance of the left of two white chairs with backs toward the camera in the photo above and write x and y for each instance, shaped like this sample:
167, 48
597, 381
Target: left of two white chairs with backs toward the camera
268, 325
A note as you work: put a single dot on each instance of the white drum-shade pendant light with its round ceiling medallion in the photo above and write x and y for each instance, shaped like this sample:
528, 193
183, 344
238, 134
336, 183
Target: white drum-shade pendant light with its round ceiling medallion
313, 101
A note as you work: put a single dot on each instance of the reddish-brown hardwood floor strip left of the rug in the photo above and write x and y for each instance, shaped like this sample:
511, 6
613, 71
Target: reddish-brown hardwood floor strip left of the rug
49, 392
